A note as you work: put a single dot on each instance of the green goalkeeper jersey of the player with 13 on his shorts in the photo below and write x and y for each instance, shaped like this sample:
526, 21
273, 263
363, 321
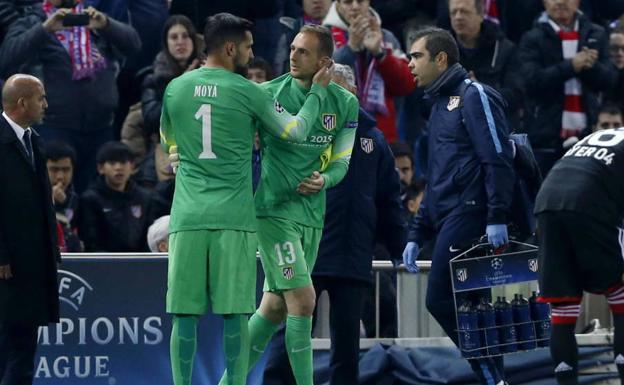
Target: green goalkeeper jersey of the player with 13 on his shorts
327, 148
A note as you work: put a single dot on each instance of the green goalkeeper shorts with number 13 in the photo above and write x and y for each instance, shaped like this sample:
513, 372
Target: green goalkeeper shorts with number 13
288, 252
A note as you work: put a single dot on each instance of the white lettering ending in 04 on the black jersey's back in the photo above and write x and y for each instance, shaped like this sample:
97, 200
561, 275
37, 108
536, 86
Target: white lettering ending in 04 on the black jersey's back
602, 145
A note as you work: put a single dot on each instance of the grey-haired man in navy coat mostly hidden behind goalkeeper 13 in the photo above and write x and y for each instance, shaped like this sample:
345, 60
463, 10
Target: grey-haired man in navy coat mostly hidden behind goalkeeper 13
365, 207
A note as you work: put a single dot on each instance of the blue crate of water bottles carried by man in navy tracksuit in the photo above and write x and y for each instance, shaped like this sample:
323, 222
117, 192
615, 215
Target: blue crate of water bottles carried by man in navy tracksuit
484, 329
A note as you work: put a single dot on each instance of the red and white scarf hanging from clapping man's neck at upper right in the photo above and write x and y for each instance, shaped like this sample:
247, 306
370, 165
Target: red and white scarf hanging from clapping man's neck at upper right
574, 119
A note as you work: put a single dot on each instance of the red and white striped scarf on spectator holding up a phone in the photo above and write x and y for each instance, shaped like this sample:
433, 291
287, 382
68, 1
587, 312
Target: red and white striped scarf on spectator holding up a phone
85, 58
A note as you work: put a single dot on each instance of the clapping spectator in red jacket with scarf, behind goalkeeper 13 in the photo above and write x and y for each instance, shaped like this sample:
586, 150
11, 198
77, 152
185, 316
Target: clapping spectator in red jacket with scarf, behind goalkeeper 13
376, 56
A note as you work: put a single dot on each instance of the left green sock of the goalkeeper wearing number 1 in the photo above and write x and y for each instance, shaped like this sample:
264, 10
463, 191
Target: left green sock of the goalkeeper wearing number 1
182, 348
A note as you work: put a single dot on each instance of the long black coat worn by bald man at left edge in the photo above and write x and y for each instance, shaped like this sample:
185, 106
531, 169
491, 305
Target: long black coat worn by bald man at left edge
27, 234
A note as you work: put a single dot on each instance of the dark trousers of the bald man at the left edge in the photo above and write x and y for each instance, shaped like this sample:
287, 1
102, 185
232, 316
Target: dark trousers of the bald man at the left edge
18, 344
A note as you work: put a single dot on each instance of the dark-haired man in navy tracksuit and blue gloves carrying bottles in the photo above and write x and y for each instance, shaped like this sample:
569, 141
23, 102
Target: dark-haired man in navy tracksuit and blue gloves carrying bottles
470, 178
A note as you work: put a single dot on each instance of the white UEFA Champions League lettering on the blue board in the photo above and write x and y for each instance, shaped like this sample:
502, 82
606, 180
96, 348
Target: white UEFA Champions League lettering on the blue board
86, 330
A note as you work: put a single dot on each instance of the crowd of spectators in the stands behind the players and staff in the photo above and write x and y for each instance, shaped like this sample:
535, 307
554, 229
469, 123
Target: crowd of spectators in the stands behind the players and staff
558, 63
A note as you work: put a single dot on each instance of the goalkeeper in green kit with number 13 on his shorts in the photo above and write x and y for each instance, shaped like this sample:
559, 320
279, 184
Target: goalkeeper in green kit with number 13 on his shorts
290, 200
